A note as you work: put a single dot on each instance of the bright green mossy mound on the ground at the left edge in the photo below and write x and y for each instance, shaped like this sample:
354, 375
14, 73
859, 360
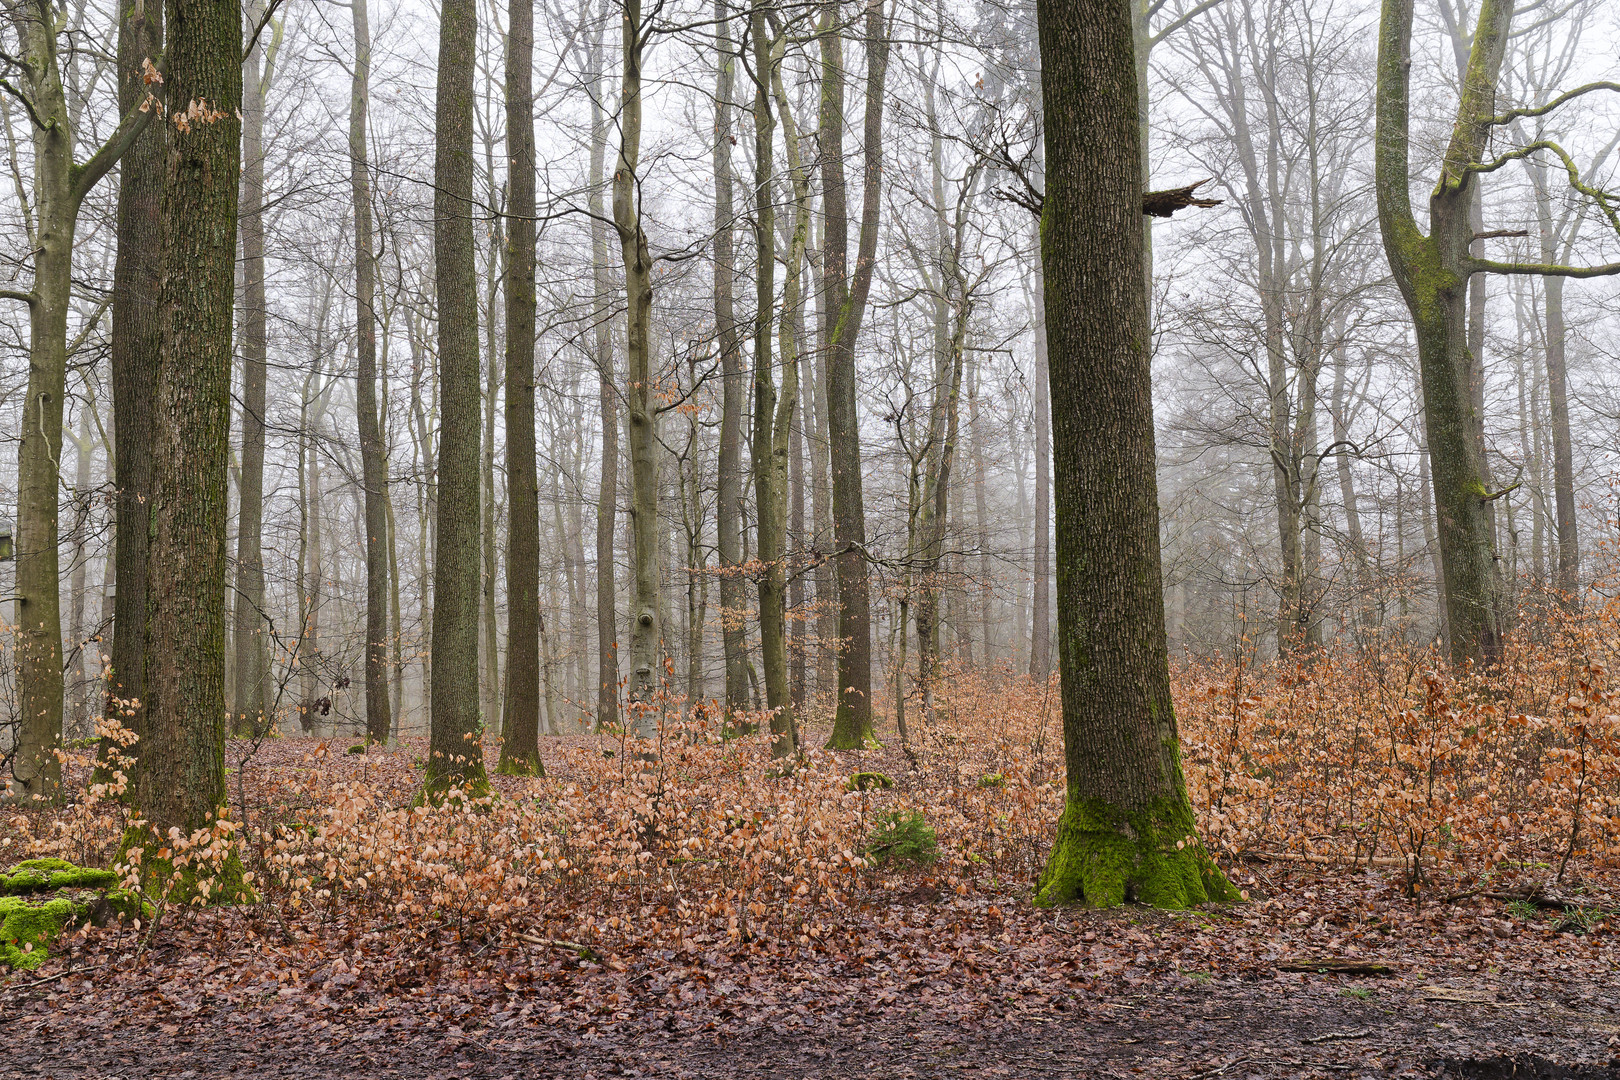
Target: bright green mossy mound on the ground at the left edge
41, 898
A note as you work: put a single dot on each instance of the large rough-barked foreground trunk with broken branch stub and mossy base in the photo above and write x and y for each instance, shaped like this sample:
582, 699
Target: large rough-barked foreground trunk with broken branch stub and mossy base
1128, 828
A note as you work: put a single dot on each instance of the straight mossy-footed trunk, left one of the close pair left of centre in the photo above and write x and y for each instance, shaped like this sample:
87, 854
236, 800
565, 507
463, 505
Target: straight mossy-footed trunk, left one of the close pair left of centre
456, 754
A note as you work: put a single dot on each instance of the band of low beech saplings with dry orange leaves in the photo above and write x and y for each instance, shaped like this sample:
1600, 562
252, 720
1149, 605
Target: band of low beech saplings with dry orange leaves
1352, 755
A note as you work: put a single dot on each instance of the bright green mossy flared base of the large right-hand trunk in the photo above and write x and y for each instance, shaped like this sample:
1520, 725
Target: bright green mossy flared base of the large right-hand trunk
1104, 857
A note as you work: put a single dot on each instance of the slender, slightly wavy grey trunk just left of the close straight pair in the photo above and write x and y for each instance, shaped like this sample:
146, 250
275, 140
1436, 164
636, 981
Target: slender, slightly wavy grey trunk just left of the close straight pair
373, 453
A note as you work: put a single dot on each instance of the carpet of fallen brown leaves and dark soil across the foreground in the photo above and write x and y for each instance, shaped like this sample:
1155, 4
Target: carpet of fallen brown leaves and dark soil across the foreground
934, 982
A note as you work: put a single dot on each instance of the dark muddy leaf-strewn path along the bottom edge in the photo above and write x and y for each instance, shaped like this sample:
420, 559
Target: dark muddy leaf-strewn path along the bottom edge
1290, 1026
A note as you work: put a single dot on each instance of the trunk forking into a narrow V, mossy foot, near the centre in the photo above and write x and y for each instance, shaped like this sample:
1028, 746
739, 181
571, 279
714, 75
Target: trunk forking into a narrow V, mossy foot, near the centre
846, 302
